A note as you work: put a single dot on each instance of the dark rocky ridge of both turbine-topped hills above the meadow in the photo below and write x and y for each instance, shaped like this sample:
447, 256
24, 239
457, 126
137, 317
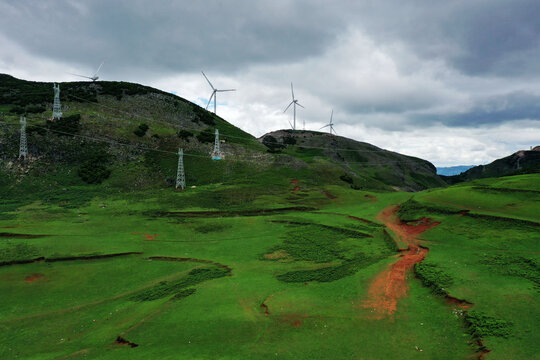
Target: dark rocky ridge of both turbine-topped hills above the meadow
124, 137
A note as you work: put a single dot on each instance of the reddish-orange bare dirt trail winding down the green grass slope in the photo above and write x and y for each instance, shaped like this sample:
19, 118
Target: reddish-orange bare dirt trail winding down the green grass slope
391, 284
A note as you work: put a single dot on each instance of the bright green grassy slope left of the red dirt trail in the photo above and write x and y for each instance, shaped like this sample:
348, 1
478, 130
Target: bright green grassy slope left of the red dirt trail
223, 319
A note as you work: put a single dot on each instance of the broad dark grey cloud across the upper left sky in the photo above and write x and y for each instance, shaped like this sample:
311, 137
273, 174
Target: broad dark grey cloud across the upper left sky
170, 36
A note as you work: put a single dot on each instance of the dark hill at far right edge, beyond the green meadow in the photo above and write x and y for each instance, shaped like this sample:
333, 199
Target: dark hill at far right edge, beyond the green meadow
521, 162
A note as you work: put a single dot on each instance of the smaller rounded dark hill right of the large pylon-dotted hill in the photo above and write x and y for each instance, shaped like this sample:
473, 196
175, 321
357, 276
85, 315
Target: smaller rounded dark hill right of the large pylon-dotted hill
360, 163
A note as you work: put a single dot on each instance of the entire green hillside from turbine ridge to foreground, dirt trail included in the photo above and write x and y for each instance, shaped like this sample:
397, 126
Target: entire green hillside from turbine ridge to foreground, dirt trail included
297, 245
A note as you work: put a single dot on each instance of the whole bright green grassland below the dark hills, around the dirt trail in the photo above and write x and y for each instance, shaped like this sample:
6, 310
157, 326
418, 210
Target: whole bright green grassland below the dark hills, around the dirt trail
226, 284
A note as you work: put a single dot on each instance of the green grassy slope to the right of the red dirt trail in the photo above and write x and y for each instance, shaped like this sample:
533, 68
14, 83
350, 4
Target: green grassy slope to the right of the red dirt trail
493, 260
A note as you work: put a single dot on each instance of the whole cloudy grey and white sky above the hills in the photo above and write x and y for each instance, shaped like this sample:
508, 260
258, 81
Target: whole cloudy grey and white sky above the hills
453, 82
